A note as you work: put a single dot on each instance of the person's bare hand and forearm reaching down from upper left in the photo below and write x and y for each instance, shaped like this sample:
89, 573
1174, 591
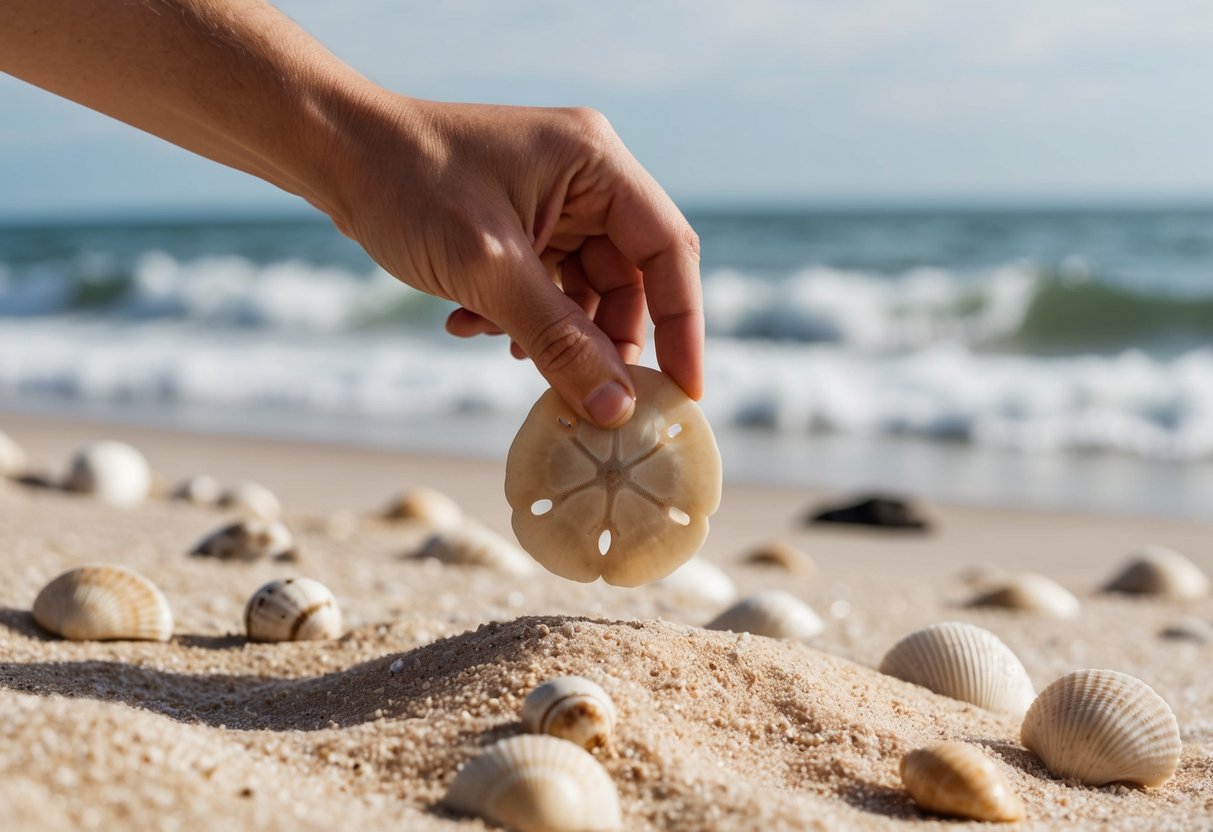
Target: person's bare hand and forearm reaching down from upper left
539, 224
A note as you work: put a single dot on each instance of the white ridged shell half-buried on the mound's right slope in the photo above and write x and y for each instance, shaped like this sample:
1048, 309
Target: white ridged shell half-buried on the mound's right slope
965, 663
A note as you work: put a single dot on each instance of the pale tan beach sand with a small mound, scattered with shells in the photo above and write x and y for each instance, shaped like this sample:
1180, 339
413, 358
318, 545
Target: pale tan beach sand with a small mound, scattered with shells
716, 731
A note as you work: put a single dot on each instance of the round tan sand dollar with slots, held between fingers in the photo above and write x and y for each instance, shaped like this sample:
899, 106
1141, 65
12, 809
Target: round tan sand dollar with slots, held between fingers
629, 505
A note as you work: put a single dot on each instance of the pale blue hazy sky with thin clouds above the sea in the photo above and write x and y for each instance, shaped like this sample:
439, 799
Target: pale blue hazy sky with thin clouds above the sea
726, 102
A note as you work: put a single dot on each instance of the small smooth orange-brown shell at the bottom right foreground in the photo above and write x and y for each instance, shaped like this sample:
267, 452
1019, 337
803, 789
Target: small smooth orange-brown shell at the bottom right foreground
961, 780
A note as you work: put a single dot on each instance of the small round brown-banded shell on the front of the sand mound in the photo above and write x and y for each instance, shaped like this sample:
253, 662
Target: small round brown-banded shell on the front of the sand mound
573, 709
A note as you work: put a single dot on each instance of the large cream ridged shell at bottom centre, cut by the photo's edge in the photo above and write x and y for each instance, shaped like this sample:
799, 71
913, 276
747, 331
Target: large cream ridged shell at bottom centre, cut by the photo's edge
538, 784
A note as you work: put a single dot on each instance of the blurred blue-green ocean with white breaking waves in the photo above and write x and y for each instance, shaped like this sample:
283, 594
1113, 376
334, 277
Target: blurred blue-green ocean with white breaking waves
1044, 358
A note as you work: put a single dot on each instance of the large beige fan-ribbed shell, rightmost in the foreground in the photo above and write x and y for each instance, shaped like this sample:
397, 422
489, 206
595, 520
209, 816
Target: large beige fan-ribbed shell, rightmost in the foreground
1103, 727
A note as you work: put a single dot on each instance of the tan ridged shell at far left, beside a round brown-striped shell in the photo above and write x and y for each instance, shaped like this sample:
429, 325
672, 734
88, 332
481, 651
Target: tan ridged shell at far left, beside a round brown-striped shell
104, 603
